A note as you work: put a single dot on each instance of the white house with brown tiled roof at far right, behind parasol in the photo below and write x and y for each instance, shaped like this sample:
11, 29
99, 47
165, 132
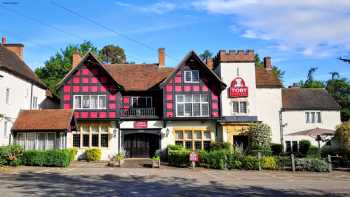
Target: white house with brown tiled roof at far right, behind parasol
308, 114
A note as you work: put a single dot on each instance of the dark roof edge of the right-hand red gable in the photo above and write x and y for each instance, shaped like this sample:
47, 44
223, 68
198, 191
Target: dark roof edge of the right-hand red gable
193, 55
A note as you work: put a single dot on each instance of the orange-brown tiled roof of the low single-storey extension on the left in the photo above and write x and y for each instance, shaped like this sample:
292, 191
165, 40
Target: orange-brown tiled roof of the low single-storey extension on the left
43, 120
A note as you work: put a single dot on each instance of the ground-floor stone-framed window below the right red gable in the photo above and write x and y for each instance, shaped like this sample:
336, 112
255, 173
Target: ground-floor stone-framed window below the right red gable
193, 139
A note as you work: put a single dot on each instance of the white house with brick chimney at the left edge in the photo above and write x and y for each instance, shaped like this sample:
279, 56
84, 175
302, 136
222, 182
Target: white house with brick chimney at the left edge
20, 88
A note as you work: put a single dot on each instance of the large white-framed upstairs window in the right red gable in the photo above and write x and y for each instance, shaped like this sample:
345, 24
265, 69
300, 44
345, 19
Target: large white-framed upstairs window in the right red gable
196, 105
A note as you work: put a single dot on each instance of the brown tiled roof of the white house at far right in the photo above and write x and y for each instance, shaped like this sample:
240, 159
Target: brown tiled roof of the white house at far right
307, 99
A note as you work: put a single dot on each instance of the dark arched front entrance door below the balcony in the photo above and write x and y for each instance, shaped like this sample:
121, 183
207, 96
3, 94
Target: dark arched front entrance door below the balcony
141, 145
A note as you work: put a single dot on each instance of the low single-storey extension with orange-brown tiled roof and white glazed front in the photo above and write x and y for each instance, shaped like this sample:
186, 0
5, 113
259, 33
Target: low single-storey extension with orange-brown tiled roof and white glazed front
44, 129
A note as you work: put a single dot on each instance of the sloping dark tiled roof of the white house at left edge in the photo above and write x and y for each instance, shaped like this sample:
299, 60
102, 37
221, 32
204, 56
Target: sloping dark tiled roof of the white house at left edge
13, 64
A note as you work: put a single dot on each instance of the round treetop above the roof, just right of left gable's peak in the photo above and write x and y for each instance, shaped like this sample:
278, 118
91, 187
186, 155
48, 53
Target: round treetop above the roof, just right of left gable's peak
112, 54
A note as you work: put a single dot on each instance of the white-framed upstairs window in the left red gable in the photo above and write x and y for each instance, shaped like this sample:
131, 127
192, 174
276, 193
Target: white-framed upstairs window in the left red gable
90, 101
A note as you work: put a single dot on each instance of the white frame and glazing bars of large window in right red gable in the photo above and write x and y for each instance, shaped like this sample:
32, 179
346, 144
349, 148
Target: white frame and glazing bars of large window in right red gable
184, 102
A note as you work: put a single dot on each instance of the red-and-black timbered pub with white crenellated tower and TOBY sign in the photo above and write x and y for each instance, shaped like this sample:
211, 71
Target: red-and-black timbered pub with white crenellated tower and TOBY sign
137, 109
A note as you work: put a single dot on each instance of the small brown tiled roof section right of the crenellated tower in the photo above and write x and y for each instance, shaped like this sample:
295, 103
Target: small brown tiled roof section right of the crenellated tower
266, 79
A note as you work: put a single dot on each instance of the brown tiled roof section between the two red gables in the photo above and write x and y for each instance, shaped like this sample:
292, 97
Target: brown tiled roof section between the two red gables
138, 77
